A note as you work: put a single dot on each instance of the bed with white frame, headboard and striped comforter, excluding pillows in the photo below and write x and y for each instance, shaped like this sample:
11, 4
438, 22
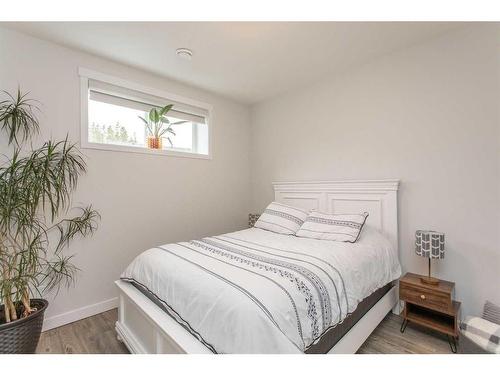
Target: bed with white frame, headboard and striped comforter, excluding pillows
255, 291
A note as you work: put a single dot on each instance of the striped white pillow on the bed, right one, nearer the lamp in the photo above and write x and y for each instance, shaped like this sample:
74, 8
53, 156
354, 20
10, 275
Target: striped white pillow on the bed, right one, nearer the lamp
344, 228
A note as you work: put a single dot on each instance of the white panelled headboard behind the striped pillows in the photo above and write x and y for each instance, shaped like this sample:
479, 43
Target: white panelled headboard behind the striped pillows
377, 197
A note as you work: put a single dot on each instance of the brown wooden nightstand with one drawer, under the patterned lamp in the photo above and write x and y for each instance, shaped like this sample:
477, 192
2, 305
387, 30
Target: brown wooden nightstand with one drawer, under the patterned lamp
431, 306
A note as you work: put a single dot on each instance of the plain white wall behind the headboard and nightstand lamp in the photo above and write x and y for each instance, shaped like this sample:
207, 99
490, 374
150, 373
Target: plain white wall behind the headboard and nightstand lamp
428, 115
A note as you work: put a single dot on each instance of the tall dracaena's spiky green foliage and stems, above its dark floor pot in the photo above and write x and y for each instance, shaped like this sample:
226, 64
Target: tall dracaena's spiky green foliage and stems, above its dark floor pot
37, 221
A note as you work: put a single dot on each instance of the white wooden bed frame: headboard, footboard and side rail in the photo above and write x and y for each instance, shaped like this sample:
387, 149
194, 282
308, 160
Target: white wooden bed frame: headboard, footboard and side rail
146, 328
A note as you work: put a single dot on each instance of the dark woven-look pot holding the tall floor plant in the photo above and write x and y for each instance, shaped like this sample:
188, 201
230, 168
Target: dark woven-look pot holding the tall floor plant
22, 335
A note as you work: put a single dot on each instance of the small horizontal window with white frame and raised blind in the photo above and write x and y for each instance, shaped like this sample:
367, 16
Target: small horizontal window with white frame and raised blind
111, 111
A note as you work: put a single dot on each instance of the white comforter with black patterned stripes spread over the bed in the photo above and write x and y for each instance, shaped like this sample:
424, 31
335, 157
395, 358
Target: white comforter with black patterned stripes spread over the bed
256, 291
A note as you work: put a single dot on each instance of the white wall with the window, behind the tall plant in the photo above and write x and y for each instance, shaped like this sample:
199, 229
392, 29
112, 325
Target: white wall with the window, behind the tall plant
144, 200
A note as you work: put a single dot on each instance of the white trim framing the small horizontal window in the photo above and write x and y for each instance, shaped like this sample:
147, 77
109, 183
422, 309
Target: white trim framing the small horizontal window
86, 74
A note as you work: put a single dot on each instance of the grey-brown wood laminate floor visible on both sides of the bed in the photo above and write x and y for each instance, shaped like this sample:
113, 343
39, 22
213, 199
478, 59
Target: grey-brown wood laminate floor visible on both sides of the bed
97, 335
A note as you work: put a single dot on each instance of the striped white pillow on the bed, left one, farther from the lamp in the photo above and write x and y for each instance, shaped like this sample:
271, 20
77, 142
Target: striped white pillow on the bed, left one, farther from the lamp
280, 218
